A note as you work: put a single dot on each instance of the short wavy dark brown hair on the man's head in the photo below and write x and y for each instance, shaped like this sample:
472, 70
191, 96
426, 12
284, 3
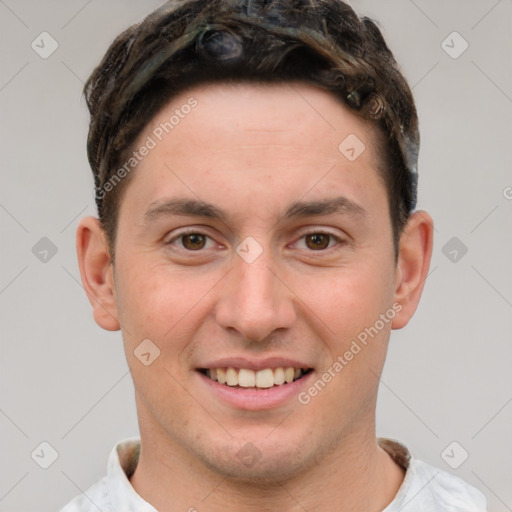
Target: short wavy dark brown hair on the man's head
189, 42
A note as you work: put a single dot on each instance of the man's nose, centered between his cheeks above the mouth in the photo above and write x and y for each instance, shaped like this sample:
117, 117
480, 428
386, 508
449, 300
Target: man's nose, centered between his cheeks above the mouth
254, 301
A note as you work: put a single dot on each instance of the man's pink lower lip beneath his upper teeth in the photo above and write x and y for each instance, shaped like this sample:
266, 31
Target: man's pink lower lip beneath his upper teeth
257, 399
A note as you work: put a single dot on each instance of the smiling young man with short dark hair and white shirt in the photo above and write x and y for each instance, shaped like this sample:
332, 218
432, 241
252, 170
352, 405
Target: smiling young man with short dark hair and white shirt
255, 171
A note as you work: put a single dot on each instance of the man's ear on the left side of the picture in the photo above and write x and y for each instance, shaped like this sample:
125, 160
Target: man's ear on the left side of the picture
97, 272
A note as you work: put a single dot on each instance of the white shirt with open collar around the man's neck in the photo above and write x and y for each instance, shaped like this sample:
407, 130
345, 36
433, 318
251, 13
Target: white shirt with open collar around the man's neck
424, 489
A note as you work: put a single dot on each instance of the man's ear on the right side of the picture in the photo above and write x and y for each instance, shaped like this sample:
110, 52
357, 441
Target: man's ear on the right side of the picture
413, 263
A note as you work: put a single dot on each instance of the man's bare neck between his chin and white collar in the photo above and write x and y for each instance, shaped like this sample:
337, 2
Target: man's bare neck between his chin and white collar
356, 475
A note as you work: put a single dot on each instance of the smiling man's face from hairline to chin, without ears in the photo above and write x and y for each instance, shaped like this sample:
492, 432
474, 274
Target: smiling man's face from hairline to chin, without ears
251, 249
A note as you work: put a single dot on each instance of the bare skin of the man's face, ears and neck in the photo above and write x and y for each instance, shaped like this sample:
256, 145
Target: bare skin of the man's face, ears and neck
253, 151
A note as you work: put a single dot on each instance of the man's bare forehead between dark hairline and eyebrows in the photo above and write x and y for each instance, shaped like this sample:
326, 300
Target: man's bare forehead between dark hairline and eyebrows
256, 140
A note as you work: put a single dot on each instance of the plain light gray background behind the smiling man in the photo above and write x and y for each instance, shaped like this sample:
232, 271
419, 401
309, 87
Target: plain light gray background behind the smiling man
65, 381
